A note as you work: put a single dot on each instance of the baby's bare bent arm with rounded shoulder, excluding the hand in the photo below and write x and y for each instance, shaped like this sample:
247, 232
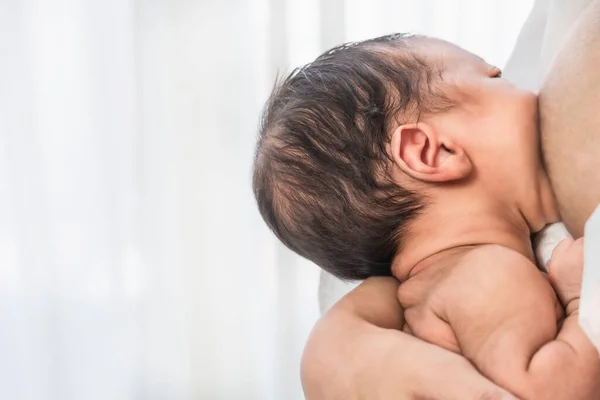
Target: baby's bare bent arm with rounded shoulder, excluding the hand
506, 324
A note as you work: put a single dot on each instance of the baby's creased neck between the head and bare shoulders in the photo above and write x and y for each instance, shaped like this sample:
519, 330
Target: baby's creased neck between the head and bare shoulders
457, 219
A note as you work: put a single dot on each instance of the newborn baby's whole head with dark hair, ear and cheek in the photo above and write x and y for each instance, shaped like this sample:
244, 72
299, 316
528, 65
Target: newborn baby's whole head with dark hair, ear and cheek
357, 147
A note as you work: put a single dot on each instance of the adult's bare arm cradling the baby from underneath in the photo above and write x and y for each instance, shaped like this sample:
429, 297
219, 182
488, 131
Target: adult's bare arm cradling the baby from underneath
357, 352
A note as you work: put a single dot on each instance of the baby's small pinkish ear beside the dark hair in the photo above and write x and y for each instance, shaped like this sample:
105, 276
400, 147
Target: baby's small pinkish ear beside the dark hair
420, 153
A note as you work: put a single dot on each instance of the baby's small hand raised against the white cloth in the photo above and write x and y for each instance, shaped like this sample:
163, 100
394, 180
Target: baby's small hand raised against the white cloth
566, 271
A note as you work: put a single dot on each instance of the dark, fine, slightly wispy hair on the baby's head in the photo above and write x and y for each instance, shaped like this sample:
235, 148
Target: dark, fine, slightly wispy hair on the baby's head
321, 168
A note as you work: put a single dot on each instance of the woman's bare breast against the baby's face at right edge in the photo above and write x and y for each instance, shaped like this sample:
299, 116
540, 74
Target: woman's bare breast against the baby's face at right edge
570, 122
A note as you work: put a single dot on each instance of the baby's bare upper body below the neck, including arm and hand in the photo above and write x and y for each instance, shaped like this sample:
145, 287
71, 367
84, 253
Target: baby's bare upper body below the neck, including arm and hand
492, 305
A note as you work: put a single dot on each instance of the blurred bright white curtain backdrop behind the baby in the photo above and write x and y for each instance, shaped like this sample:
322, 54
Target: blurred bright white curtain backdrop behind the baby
133, 261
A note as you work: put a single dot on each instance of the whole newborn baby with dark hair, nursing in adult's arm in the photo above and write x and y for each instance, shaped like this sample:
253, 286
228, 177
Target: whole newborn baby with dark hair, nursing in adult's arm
408, 156
